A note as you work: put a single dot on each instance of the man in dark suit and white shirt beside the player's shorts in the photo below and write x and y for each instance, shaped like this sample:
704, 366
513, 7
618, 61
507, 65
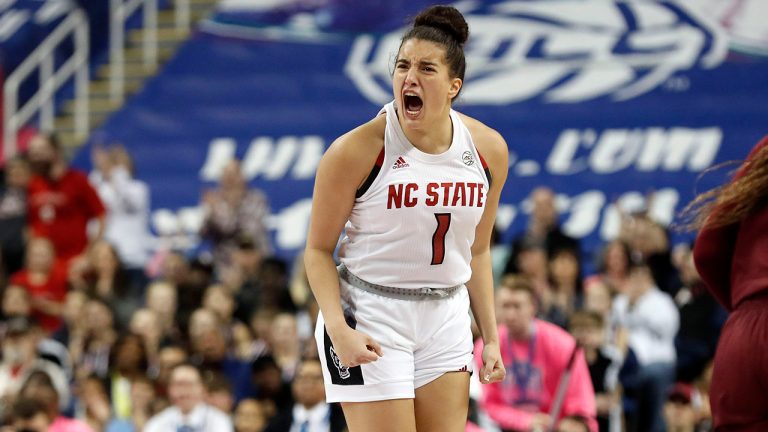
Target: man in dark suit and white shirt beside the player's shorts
310, 412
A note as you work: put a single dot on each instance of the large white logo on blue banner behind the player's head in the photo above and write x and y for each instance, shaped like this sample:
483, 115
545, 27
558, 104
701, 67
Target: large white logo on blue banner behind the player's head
560, 51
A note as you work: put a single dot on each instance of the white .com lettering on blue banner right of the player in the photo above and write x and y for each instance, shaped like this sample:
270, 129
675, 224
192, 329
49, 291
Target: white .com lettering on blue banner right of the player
650, 149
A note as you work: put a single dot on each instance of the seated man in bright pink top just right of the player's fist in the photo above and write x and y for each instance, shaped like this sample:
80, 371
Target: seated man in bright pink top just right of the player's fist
536, 355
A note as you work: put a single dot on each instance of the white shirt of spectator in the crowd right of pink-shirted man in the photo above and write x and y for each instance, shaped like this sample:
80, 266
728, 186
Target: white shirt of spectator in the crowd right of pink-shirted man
652, 323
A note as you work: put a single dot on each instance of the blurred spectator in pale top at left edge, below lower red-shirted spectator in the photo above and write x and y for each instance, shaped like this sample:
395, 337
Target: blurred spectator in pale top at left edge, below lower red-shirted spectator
21, 362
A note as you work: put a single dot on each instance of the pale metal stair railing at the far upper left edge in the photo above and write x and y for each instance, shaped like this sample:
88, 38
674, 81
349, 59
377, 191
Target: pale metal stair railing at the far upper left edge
51, 78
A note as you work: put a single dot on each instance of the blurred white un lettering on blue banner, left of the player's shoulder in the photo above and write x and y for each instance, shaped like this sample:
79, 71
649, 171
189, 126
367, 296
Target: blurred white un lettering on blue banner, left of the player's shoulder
267, 158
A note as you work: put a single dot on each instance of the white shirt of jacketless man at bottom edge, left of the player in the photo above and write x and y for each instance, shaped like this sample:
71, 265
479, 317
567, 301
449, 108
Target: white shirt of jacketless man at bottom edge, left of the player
203, 418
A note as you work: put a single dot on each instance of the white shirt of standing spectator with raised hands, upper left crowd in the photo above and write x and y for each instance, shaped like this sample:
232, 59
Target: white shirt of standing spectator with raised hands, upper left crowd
127, 223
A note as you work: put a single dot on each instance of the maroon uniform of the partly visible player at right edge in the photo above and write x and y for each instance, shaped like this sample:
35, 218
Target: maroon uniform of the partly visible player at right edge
733, 262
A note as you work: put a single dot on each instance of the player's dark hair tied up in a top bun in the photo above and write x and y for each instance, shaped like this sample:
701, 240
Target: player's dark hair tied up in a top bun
445, 26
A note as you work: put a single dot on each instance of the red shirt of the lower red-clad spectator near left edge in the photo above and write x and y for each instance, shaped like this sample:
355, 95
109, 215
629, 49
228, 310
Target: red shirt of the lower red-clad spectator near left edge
54, 288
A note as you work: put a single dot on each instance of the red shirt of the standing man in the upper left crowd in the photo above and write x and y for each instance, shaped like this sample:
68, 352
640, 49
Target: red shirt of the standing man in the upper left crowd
60, 210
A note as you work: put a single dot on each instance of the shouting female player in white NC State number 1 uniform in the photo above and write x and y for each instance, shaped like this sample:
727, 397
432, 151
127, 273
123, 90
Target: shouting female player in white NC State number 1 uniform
418, 202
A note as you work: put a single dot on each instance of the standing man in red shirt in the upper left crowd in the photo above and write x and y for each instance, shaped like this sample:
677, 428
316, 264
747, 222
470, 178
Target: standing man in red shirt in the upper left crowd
61, 200
